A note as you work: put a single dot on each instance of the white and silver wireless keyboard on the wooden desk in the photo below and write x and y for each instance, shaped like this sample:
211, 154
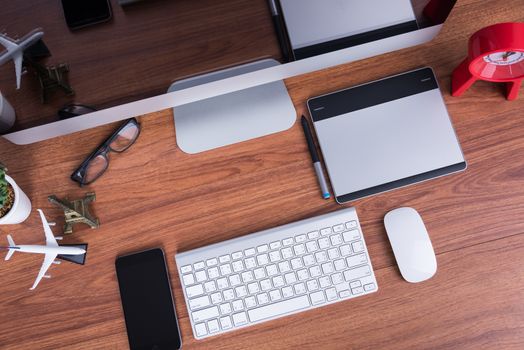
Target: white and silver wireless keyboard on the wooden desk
276, 272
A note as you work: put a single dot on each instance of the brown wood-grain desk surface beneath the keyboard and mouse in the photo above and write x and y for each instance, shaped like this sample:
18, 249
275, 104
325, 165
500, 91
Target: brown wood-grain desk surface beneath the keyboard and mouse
155, 195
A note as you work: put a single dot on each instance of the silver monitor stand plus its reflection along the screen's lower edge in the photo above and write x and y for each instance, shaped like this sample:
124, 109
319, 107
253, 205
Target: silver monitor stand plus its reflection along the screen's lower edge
234, 117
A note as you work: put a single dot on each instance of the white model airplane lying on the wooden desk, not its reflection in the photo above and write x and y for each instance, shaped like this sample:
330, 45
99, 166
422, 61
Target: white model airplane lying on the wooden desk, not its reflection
51, 250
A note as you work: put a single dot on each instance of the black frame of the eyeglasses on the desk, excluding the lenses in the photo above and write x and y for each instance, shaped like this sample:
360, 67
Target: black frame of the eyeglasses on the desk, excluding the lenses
104, 149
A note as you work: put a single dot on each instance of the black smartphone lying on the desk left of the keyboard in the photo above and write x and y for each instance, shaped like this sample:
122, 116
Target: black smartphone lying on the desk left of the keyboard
147, 301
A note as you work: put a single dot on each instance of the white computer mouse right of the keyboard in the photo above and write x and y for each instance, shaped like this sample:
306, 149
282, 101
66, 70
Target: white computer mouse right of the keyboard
411, 244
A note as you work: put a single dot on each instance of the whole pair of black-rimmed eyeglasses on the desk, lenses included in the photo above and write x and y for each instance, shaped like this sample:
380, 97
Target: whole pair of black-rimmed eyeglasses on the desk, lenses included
96, 164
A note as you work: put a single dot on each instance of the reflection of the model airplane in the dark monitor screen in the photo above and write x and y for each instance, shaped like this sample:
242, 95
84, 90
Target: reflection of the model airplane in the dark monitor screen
15, 50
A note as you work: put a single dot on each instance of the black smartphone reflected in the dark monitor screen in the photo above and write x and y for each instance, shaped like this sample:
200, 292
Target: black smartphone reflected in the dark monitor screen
81, 13
